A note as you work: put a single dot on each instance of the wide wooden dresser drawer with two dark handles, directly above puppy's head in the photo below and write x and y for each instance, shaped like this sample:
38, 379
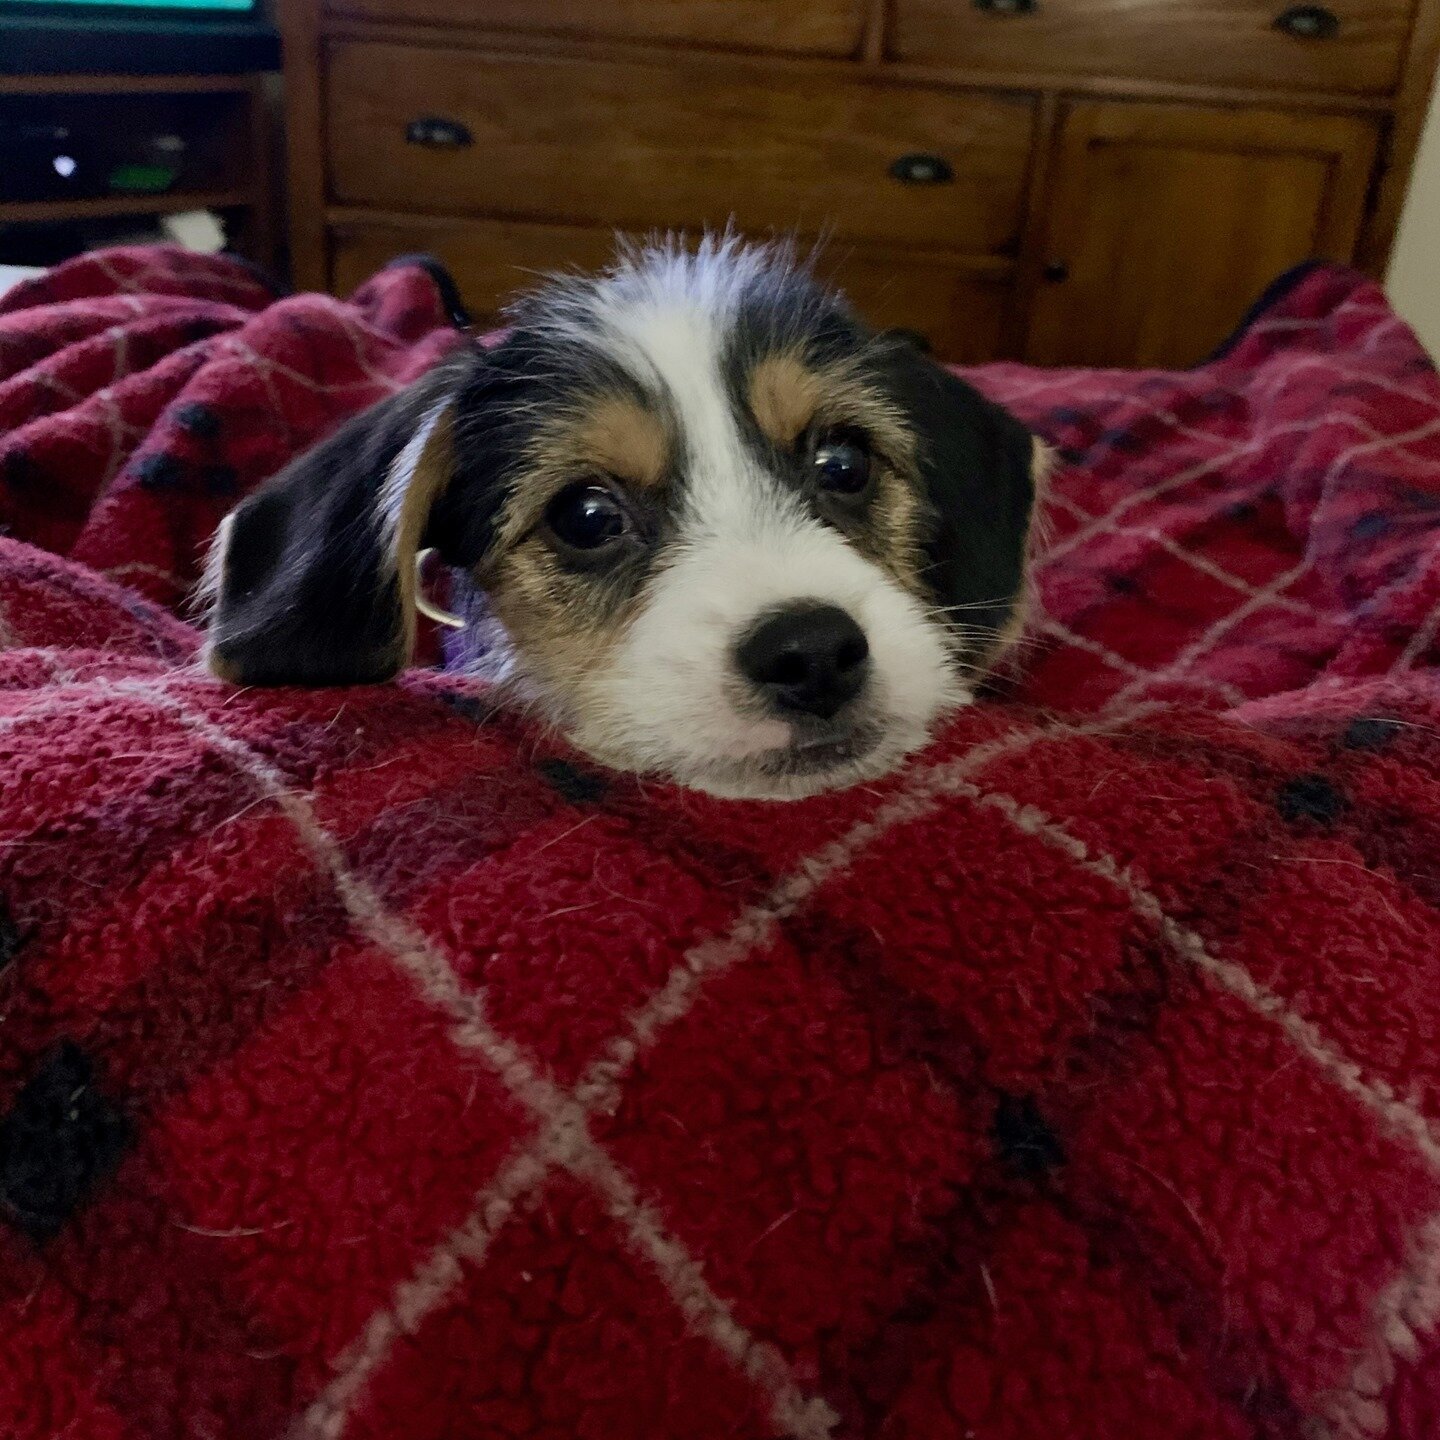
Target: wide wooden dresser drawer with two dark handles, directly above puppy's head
689, 145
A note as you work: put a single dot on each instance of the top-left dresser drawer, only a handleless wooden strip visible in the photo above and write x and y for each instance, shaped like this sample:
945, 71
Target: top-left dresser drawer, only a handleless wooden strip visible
811, 28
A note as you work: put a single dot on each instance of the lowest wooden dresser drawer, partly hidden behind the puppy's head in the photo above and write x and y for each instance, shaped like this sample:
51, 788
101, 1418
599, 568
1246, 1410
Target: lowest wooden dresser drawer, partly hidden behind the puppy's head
958, 307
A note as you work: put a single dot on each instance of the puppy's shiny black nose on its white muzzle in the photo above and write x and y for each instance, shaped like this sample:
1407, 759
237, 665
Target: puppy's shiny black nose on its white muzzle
810, 659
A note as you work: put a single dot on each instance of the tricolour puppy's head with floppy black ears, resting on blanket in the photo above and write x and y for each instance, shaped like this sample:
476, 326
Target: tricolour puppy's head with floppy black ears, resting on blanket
735, 538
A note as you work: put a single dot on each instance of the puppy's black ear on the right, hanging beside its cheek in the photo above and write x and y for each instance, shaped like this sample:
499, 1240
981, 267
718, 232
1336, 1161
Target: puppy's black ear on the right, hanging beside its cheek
981, 472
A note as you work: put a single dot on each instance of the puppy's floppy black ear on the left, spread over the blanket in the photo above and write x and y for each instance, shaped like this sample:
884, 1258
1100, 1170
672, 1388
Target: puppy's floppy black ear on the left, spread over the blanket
312, 580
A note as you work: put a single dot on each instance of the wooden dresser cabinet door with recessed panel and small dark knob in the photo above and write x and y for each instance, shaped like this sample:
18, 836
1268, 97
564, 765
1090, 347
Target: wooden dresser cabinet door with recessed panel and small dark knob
1167, 222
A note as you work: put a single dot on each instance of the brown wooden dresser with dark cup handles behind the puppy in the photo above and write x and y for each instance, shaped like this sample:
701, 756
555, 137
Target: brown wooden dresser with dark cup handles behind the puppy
1092, 182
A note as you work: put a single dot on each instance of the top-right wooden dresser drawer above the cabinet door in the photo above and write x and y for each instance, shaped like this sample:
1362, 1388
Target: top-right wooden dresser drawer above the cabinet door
1219, 42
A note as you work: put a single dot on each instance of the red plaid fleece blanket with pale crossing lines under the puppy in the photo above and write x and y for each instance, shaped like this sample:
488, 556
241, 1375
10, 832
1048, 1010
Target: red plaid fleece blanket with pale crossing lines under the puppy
374, 1068
